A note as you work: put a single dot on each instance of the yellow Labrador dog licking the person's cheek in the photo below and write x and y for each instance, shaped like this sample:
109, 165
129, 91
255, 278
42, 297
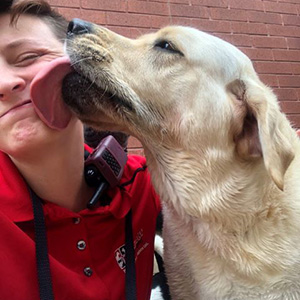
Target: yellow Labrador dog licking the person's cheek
223, 158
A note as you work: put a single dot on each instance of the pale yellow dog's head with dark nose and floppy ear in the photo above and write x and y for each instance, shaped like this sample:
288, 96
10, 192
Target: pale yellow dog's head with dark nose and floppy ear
178, 87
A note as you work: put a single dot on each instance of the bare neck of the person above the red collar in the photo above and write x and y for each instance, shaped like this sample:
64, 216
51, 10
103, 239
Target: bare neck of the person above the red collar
55, 173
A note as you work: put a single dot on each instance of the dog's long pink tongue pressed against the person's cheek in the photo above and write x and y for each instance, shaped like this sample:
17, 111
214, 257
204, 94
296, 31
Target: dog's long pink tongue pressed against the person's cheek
46, 94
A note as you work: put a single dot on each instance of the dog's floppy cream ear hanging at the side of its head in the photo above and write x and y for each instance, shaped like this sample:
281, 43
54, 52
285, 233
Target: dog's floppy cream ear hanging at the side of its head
263, 129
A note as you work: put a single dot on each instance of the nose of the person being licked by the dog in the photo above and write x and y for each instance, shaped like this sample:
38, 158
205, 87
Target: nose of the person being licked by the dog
10, 85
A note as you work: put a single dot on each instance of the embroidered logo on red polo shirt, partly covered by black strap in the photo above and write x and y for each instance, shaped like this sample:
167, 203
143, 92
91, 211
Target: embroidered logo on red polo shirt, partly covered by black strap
139, 246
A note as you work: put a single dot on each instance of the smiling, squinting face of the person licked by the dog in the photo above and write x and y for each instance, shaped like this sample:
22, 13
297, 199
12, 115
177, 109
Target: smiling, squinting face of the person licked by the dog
24, 50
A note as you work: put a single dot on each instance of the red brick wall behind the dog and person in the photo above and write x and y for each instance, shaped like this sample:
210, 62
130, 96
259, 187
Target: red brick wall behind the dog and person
267, 31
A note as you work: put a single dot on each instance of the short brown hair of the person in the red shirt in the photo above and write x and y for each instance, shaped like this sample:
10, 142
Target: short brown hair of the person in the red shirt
38, 8
